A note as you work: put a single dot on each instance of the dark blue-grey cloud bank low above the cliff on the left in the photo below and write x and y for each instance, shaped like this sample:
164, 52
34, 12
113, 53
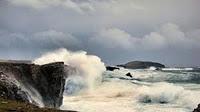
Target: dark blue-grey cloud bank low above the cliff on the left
29, 45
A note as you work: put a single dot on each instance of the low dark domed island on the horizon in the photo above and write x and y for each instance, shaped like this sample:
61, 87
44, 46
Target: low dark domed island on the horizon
141, 65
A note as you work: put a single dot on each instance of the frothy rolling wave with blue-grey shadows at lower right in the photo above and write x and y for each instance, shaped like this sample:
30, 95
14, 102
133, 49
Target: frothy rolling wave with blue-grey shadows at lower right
168, 93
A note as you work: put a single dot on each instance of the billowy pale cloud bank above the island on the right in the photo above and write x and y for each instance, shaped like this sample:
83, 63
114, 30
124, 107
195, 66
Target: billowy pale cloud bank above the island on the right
168, 35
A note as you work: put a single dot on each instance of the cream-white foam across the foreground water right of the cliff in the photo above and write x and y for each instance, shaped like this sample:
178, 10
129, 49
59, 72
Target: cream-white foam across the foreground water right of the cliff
118, 96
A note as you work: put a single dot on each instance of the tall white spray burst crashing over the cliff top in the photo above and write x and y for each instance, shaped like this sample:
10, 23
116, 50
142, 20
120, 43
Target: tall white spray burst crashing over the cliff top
88, 67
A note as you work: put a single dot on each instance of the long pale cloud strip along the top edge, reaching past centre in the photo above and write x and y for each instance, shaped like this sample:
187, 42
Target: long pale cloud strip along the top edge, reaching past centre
116, 7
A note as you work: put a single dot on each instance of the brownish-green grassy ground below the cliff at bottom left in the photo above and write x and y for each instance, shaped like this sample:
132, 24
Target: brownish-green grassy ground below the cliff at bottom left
14, 106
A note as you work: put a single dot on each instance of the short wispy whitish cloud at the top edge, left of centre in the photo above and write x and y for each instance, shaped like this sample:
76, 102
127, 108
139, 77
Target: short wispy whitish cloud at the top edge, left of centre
43, 4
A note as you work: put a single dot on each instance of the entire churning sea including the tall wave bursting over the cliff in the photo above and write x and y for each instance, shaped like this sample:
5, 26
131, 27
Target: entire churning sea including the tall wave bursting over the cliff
90, 88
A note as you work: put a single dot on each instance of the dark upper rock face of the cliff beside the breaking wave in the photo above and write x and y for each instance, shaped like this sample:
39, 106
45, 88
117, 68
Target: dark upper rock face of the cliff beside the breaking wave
47, 80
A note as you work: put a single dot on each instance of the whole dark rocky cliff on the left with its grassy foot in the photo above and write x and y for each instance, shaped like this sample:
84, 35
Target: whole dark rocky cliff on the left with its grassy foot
31, 85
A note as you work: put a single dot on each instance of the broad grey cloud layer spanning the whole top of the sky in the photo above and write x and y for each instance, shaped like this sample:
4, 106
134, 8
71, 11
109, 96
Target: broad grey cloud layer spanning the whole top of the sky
80, 16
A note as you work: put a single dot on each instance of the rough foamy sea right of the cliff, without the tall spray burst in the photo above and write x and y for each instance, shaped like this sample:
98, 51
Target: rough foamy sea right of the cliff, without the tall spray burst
169, 90
